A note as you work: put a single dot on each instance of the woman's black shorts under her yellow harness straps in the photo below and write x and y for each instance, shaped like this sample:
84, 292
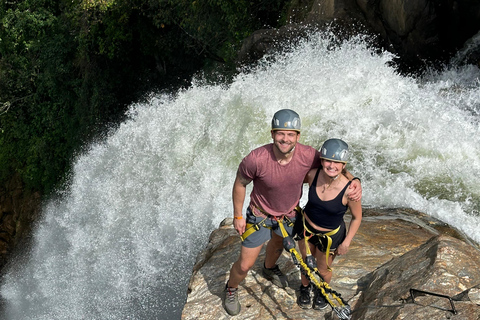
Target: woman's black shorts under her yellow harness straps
319, 241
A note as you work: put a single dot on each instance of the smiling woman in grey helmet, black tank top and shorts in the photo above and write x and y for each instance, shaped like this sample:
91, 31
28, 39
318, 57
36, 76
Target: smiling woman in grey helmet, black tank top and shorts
320, 228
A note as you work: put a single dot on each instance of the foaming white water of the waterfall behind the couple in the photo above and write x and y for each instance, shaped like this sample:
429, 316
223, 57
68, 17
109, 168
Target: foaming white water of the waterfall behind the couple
121, 242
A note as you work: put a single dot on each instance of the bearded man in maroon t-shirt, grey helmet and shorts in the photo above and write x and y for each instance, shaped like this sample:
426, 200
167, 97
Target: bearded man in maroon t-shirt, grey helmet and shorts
278, 171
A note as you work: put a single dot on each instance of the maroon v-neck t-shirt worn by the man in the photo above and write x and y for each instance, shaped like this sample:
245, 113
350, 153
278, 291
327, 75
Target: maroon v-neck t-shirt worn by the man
277, 188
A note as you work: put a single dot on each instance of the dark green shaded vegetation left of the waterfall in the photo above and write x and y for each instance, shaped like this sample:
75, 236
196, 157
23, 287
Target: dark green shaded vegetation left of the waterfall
69, 69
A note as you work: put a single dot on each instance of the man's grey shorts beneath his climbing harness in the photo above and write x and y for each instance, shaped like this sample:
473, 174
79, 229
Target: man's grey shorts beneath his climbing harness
264, 234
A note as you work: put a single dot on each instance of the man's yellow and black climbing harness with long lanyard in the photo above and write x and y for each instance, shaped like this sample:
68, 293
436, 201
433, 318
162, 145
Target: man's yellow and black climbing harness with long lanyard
308, 268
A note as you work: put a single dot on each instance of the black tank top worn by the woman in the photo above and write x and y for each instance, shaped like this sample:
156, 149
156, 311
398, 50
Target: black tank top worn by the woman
326, 214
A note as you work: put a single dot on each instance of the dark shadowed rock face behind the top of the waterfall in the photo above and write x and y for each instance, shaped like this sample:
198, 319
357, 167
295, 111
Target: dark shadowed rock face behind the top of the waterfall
415, 30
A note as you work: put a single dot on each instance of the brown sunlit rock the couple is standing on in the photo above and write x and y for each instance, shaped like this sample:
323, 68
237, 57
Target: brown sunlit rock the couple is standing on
393, 252
